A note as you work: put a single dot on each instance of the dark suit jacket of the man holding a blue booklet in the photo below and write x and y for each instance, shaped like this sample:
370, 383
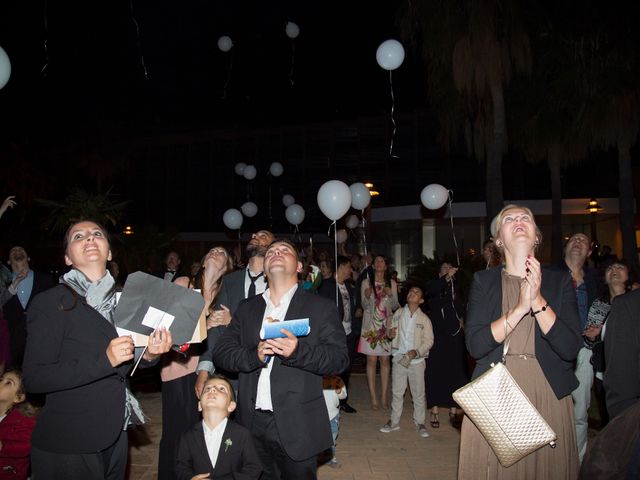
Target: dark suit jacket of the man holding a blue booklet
299, 408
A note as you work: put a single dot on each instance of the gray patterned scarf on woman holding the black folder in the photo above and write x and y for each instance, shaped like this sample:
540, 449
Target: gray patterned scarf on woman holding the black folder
101, 296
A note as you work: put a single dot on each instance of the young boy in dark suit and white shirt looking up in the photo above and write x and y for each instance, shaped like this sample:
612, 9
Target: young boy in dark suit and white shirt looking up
217, 447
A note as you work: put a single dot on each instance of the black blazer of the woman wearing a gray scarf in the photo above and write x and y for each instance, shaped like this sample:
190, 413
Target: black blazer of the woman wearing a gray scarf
66, 359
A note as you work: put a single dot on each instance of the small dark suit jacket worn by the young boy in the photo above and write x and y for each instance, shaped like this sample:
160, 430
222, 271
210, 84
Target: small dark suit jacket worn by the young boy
238, 461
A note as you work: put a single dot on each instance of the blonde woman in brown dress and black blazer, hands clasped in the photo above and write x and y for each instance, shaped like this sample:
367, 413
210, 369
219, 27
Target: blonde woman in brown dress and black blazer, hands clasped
538, 309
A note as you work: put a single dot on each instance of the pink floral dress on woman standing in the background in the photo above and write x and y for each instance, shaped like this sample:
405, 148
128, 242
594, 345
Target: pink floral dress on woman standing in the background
378, 311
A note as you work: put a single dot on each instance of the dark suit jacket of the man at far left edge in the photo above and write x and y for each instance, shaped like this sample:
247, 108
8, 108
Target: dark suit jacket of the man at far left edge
16, 316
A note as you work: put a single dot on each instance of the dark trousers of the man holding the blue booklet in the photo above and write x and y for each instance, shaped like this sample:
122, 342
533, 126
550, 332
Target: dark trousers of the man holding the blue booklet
277, 464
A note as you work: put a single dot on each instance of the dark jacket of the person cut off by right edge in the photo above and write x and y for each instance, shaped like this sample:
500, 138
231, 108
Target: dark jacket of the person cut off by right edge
622, 353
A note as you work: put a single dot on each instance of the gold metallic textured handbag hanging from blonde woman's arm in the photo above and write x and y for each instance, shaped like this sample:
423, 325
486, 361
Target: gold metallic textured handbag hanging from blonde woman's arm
509, 422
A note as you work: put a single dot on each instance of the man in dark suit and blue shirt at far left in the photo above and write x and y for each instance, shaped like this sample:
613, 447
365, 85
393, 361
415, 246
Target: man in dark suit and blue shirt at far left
15, 299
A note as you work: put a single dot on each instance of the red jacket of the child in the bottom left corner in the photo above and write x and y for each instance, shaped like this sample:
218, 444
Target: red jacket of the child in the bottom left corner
15, 435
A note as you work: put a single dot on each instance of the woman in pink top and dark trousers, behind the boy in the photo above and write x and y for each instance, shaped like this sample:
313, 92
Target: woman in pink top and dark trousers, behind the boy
181, 384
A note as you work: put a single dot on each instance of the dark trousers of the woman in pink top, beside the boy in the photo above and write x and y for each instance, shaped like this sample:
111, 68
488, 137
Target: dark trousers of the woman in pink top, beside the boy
179, 413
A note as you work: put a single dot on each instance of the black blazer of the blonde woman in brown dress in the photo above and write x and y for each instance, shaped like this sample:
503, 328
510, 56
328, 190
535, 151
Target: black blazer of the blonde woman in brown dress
555, 351
